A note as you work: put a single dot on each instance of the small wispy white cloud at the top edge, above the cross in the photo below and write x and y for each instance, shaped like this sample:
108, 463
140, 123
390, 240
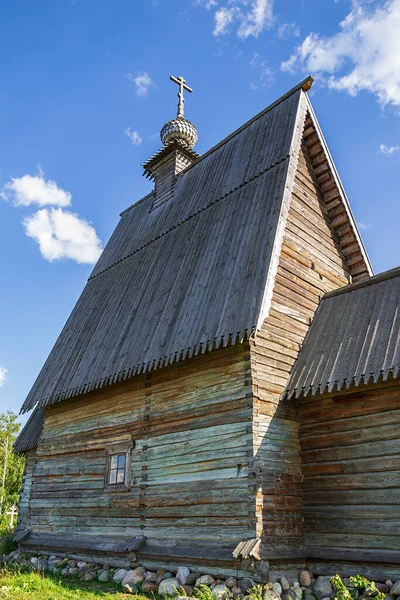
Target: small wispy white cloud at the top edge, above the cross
251, 17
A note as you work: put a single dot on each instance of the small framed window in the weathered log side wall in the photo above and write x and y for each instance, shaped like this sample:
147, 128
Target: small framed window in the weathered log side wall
118, 466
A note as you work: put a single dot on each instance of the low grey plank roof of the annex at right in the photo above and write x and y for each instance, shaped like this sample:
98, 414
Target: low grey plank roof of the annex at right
354, 338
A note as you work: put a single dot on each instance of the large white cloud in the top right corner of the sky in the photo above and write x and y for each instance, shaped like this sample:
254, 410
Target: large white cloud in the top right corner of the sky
363, 55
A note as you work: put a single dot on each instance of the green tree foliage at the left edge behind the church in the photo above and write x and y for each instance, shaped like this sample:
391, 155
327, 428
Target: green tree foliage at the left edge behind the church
11, 465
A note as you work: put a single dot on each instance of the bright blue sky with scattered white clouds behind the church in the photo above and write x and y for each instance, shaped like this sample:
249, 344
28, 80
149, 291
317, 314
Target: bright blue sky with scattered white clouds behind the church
85, 91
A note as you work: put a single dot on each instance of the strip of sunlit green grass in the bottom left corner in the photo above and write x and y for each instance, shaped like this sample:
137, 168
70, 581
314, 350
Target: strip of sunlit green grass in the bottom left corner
30, 585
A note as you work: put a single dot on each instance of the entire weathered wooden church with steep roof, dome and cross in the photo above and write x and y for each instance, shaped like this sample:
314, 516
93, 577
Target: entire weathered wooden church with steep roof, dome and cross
225, 393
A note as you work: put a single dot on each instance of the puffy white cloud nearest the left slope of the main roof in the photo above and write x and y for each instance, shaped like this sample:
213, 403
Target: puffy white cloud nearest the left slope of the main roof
62, 234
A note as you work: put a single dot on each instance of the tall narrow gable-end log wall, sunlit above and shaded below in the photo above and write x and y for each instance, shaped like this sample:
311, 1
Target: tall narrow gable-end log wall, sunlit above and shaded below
310, 264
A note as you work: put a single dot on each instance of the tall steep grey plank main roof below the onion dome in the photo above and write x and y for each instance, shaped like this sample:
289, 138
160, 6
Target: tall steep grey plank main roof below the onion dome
194, 273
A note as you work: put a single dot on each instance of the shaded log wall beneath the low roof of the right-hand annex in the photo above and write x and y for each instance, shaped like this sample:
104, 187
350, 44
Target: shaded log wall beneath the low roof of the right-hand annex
350, 447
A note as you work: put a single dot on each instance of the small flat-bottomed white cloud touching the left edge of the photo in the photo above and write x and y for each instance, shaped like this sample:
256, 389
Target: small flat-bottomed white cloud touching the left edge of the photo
34, 189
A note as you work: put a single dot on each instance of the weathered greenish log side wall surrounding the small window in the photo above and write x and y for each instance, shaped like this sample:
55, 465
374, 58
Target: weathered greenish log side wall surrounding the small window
191, 424
